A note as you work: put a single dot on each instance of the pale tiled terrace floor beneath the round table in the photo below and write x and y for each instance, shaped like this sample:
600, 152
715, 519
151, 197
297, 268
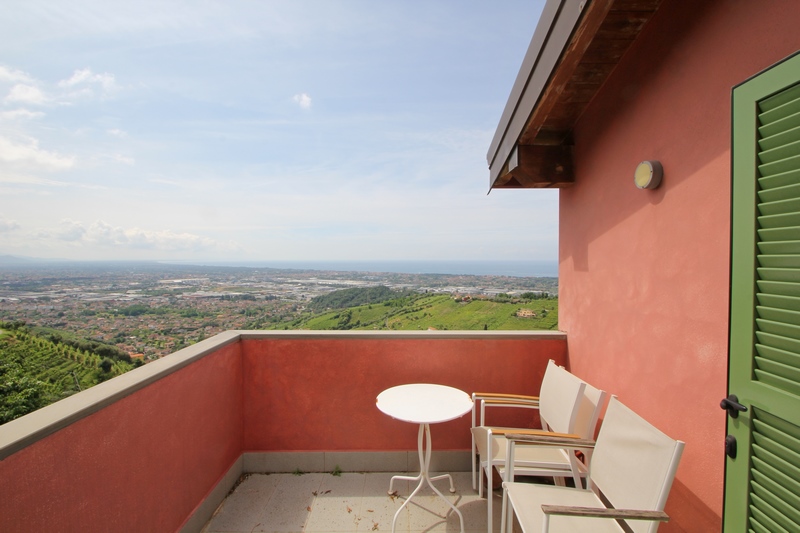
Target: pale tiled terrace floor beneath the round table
324, 503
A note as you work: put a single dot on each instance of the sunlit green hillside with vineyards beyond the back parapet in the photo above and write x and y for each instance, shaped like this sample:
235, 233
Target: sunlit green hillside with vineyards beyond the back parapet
438, 311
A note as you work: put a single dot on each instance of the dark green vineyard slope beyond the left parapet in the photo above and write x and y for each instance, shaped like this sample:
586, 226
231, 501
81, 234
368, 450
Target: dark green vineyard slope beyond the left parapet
36, 371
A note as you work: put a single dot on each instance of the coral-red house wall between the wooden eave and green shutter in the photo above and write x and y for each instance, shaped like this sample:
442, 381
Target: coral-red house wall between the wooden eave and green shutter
644, 275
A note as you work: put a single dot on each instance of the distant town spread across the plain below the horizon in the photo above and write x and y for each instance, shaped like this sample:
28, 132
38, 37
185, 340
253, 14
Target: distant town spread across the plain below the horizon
152, 309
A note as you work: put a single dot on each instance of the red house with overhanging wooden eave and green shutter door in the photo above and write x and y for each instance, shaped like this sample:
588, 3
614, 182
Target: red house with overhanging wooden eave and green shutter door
691, 286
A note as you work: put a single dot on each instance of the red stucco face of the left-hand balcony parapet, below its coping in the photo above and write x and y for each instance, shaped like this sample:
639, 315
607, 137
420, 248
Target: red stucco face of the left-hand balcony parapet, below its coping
143, 463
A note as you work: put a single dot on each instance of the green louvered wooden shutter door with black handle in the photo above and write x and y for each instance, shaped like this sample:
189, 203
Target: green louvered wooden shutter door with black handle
762, 491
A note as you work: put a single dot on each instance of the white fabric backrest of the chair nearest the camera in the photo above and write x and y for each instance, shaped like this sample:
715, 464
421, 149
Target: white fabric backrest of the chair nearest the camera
633, 463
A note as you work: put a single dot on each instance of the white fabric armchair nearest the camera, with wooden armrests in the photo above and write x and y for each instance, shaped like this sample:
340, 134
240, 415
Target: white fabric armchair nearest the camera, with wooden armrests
629, 478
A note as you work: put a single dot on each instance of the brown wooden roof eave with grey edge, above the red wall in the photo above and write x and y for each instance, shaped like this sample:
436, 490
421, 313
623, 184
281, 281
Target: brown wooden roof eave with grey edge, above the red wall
576, 46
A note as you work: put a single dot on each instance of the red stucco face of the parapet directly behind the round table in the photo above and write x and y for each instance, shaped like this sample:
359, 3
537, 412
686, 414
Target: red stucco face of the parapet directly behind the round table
320, 394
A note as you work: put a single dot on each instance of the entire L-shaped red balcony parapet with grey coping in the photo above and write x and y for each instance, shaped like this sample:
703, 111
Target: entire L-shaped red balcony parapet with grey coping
158, 448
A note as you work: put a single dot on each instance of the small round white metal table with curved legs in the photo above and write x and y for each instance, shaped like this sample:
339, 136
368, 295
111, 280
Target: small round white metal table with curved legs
424, 404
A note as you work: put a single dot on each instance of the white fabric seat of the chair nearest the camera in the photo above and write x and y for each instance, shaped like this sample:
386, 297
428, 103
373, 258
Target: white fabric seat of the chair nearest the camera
522, 496
